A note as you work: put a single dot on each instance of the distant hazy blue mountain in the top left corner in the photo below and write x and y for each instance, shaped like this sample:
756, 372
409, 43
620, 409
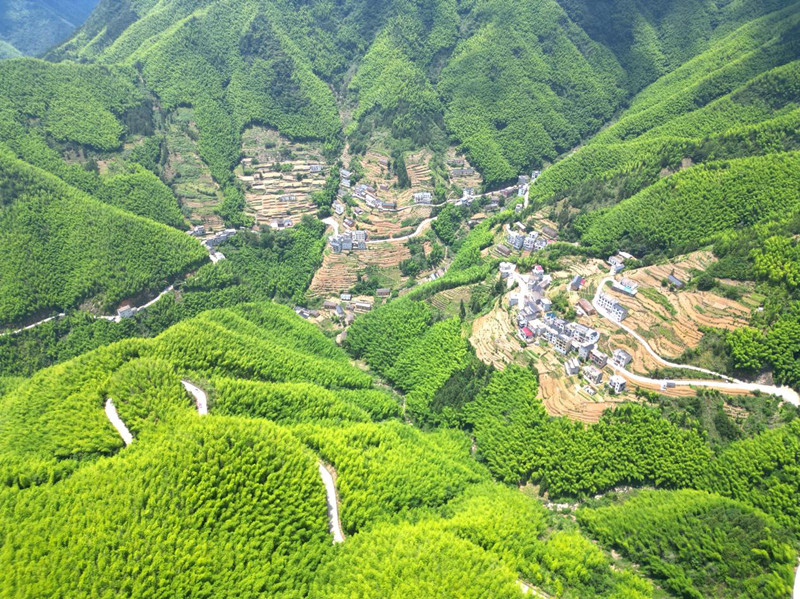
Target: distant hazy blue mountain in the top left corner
33, 26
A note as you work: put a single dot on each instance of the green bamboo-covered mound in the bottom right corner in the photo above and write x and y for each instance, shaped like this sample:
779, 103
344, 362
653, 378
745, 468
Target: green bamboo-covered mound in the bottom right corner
698, 544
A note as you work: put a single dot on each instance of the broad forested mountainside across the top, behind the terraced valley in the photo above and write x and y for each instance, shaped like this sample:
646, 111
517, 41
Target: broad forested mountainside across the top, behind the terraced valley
513, 97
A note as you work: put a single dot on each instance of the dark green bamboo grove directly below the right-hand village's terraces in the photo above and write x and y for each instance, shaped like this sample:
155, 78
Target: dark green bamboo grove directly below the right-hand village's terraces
630, 445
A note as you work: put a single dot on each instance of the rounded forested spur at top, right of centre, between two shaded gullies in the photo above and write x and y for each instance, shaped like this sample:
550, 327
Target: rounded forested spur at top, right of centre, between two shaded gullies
517, 96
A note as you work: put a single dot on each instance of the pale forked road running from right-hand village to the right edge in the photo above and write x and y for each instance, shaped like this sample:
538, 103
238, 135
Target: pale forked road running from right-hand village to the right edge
727, 384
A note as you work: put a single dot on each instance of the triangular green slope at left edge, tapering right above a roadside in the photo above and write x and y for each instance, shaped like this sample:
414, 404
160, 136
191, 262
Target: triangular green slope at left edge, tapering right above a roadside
62, 247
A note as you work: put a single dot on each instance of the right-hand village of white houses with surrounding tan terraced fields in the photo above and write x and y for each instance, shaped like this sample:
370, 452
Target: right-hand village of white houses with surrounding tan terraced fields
597, 330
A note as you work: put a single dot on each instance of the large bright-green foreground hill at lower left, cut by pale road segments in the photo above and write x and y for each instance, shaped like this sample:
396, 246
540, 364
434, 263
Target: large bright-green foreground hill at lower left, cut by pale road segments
238, 498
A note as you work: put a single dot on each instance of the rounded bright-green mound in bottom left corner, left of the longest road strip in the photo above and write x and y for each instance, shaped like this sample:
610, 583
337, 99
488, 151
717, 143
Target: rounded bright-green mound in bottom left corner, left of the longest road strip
199, 509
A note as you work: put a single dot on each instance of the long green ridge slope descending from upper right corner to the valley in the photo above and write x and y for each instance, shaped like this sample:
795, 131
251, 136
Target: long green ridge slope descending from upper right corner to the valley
737, 99
